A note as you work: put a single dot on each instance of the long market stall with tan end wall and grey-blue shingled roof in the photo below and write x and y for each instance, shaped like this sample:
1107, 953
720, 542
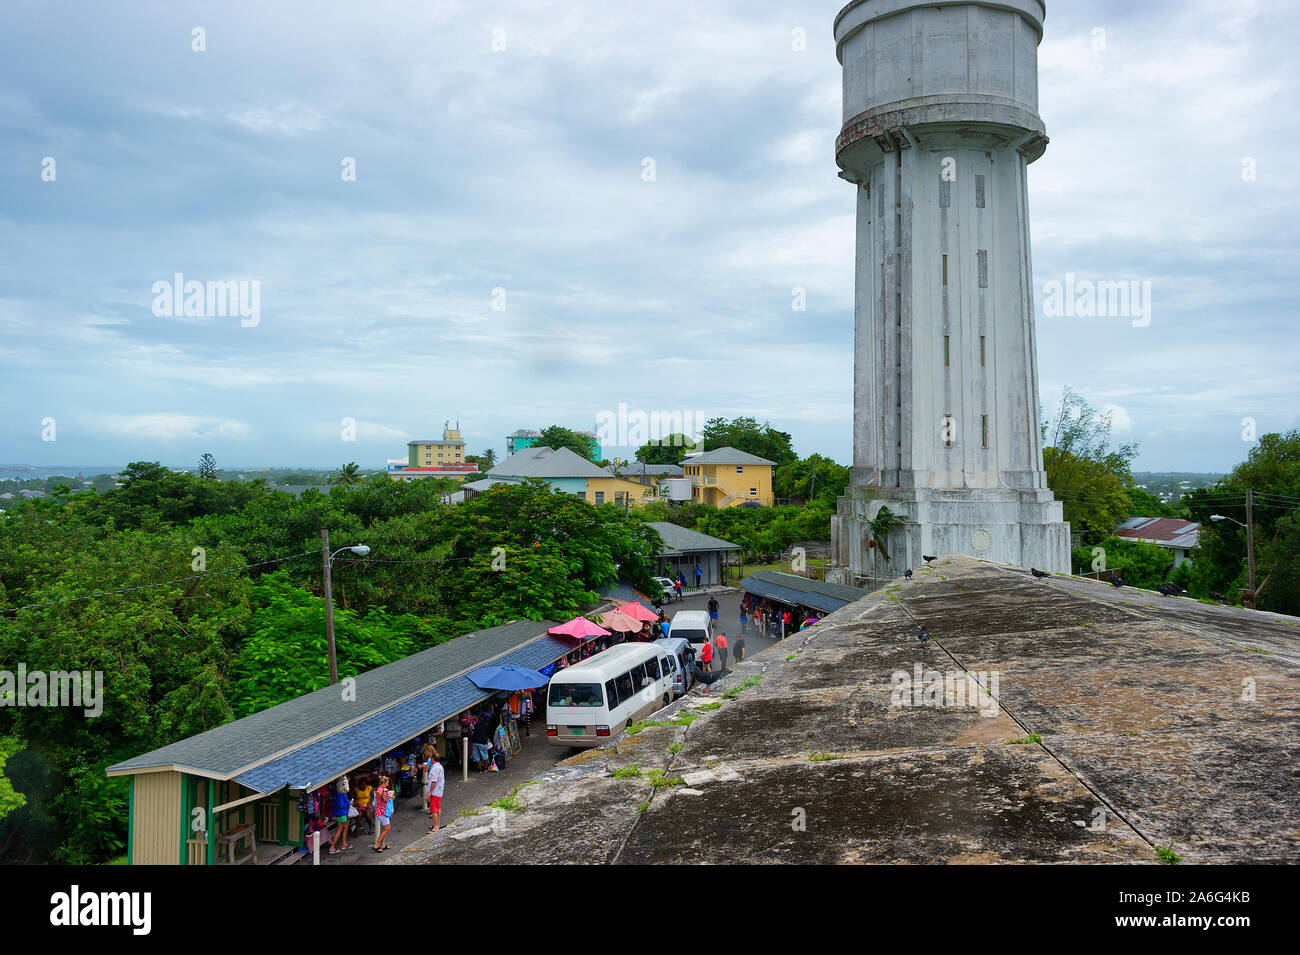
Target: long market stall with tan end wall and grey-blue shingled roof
250, 771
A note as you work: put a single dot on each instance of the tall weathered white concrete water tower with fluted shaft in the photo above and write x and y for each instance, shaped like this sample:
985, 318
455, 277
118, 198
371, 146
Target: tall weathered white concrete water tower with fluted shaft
941, 125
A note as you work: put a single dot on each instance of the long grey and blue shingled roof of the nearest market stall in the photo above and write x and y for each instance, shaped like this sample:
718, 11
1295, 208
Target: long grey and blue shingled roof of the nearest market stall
266, 750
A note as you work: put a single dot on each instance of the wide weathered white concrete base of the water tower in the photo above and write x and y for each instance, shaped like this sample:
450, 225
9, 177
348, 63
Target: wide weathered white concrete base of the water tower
1015, 527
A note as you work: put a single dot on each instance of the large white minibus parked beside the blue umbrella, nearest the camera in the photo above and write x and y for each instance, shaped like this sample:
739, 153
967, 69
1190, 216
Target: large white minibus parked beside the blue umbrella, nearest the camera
586, 705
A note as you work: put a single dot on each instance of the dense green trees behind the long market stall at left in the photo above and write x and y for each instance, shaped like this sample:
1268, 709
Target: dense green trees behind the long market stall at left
201, 601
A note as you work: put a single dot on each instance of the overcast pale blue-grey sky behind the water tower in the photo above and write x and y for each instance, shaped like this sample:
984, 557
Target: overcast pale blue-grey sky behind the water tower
504, 257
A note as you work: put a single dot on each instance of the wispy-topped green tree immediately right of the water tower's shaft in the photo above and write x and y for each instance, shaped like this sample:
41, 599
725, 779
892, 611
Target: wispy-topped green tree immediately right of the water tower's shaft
1086, 475
